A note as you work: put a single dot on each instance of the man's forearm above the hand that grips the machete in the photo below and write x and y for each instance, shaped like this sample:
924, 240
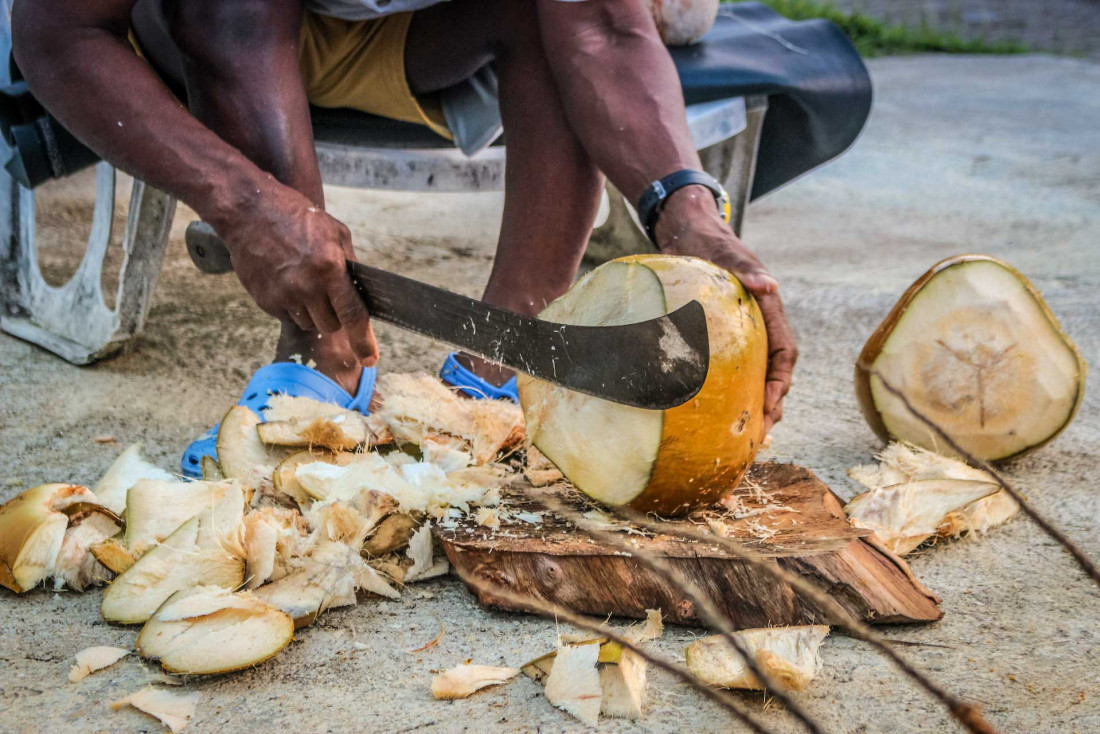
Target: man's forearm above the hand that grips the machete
78, 61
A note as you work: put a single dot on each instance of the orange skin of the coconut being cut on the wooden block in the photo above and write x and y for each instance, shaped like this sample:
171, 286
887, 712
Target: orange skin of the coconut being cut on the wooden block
709, 443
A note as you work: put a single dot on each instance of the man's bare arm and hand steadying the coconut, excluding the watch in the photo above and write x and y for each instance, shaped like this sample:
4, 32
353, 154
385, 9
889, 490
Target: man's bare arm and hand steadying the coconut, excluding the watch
623, 98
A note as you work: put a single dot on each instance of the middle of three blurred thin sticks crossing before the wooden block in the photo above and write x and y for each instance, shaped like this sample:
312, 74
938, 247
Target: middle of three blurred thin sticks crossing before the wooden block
709, 611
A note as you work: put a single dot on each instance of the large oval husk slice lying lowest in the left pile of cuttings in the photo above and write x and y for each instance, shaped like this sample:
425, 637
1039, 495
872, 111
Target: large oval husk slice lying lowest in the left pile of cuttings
207, 630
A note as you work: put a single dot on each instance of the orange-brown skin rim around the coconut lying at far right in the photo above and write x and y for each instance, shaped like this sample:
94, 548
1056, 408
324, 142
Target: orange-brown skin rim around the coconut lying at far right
874, 348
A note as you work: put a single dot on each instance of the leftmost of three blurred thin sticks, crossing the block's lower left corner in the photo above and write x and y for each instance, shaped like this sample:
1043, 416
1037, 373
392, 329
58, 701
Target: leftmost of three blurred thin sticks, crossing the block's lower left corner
556, 612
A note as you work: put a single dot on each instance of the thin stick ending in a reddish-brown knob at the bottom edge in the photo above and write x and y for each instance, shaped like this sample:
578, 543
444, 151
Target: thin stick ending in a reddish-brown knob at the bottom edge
965, 714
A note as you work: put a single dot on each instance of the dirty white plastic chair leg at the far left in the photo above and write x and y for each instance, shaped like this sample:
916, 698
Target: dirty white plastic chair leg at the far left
73, 321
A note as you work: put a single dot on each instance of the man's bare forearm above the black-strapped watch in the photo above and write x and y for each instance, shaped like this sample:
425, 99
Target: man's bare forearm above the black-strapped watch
620, 89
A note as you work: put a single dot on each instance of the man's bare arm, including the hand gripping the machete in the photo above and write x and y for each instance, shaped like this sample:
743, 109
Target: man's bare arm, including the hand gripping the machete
76, 59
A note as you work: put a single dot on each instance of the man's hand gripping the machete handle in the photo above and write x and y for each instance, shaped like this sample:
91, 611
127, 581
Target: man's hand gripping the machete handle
291, 257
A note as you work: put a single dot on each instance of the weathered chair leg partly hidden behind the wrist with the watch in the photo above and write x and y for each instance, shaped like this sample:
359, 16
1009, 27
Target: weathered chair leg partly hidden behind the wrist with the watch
732, 162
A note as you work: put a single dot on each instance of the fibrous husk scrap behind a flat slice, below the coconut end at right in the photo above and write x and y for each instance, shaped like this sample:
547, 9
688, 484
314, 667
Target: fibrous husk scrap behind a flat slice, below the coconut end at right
903, 463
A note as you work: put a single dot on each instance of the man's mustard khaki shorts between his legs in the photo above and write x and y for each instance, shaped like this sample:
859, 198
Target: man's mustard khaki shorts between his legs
361, 65
